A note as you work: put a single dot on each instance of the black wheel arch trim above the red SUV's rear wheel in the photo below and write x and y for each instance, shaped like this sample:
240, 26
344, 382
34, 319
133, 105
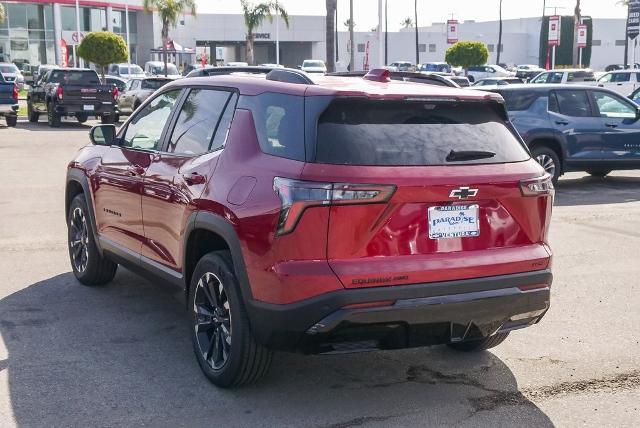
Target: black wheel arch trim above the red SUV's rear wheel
207, 232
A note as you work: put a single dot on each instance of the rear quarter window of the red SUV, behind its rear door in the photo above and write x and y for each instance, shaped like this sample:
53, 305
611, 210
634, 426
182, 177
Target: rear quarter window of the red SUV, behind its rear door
279, 121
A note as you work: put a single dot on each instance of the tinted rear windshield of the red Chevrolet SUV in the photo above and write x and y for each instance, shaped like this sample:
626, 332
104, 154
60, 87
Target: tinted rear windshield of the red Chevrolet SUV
401, 133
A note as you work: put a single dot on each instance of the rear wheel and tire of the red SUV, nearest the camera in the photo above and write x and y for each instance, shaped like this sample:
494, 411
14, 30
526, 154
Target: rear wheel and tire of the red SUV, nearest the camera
222, 339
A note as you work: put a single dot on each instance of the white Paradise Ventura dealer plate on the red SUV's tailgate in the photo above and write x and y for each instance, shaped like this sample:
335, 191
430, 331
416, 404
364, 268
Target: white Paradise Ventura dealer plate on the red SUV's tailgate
454, 221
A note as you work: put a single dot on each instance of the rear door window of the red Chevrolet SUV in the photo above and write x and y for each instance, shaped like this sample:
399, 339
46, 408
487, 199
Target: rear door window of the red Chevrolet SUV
196, 125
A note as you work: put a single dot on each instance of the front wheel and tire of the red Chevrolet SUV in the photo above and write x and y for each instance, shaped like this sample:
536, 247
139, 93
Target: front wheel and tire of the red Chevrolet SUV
89, 267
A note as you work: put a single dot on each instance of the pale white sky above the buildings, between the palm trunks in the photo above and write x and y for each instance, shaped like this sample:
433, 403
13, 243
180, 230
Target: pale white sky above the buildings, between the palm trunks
366, 14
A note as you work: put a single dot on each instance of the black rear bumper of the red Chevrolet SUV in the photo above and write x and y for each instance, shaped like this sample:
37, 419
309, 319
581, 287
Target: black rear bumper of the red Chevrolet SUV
413, 315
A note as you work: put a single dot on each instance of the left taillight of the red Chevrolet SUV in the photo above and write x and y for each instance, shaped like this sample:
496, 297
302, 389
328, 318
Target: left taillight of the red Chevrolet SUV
296, 196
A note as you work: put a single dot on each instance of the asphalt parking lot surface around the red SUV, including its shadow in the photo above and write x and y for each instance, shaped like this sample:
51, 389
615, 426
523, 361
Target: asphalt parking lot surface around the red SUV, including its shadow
120, 355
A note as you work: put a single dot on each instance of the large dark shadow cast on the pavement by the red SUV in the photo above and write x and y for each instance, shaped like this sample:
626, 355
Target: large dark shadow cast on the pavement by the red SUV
121, 355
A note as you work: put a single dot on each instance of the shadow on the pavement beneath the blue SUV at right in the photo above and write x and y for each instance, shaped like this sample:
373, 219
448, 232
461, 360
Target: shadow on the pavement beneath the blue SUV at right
596, 191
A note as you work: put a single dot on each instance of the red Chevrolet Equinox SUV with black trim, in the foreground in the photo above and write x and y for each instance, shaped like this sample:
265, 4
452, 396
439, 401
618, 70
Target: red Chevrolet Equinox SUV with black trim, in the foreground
325, 216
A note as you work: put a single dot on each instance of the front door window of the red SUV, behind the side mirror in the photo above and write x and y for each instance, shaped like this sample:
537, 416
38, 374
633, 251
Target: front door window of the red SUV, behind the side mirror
145, 129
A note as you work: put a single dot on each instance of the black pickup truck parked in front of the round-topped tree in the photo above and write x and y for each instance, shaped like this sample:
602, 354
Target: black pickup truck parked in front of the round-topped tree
71, 92
